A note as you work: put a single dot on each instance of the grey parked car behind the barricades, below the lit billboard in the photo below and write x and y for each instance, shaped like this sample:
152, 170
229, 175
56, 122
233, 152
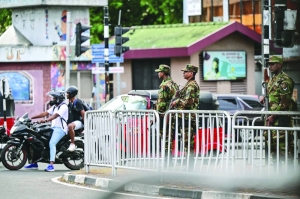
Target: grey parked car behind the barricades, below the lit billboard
242, 102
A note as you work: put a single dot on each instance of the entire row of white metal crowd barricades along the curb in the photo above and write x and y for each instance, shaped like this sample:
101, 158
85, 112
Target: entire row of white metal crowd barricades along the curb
186, 141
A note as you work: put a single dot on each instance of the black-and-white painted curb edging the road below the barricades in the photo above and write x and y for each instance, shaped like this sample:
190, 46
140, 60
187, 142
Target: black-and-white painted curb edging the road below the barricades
154, 190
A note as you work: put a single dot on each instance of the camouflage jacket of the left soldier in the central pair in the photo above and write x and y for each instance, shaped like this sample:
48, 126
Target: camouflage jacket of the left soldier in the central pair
167, 90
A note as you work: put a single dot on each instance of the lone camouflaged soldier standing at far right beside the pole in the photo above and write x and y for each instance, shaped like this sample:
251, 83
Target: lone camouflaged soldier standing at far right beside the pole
280, 90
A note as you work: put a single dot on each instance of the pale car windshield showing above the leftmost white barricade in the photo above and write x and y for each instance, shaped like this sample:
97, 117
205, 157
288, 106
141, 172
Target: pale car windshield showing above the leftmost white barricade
126, 102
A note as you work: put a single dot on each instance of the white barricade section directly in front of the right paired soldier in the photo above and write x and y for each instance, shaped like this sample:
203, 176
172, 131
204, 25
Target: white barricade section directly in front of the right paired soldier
196, 141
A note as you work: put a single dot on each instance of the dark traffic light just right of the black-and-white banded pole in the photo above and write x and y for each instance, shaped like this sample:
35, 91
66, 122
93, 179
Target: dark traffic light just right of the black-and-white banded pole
119, 40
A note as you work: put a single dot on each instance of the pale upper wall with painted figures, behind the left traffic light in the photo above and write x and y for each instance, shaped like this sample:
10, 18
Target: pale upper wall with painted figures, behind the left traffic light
45, 26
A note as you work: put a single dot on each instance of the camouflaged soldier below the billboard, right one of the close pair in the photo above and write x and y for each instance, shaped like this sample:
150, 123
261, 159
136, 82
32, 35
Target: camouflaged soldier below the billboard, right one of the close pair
187, 99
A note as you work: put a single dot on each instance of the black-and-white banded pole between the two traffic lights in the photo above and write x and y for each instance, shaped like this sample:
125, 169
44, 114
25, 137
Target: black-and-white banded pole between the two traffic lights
106, 52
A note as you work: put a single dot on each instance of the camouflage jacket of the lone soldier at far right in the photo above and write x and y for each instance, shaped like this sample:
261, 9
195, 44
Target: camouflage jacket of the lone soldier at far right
280, 90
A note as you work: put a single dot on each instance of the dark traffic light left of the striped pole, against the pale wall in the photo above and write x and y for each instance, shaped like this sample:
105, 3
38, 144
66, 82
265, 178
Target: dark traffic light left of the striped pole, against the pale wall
80, 39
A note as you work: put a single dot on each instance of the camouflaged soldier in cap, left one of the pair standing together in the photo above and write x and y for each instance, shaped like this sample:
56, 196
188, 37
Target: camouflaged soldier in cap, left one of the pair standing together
167, 91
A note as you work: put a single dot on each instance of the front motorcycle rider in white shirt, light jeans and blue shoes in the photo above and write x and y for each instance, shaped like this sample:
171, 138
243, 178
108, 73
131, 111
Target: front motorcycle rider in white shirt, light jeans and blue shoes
58, 112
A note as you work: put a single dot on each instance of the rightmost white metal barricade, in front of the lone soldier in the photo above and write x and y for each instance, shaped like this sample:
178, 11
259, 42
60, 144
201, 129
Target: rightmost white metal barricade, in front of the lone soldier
257, 156
